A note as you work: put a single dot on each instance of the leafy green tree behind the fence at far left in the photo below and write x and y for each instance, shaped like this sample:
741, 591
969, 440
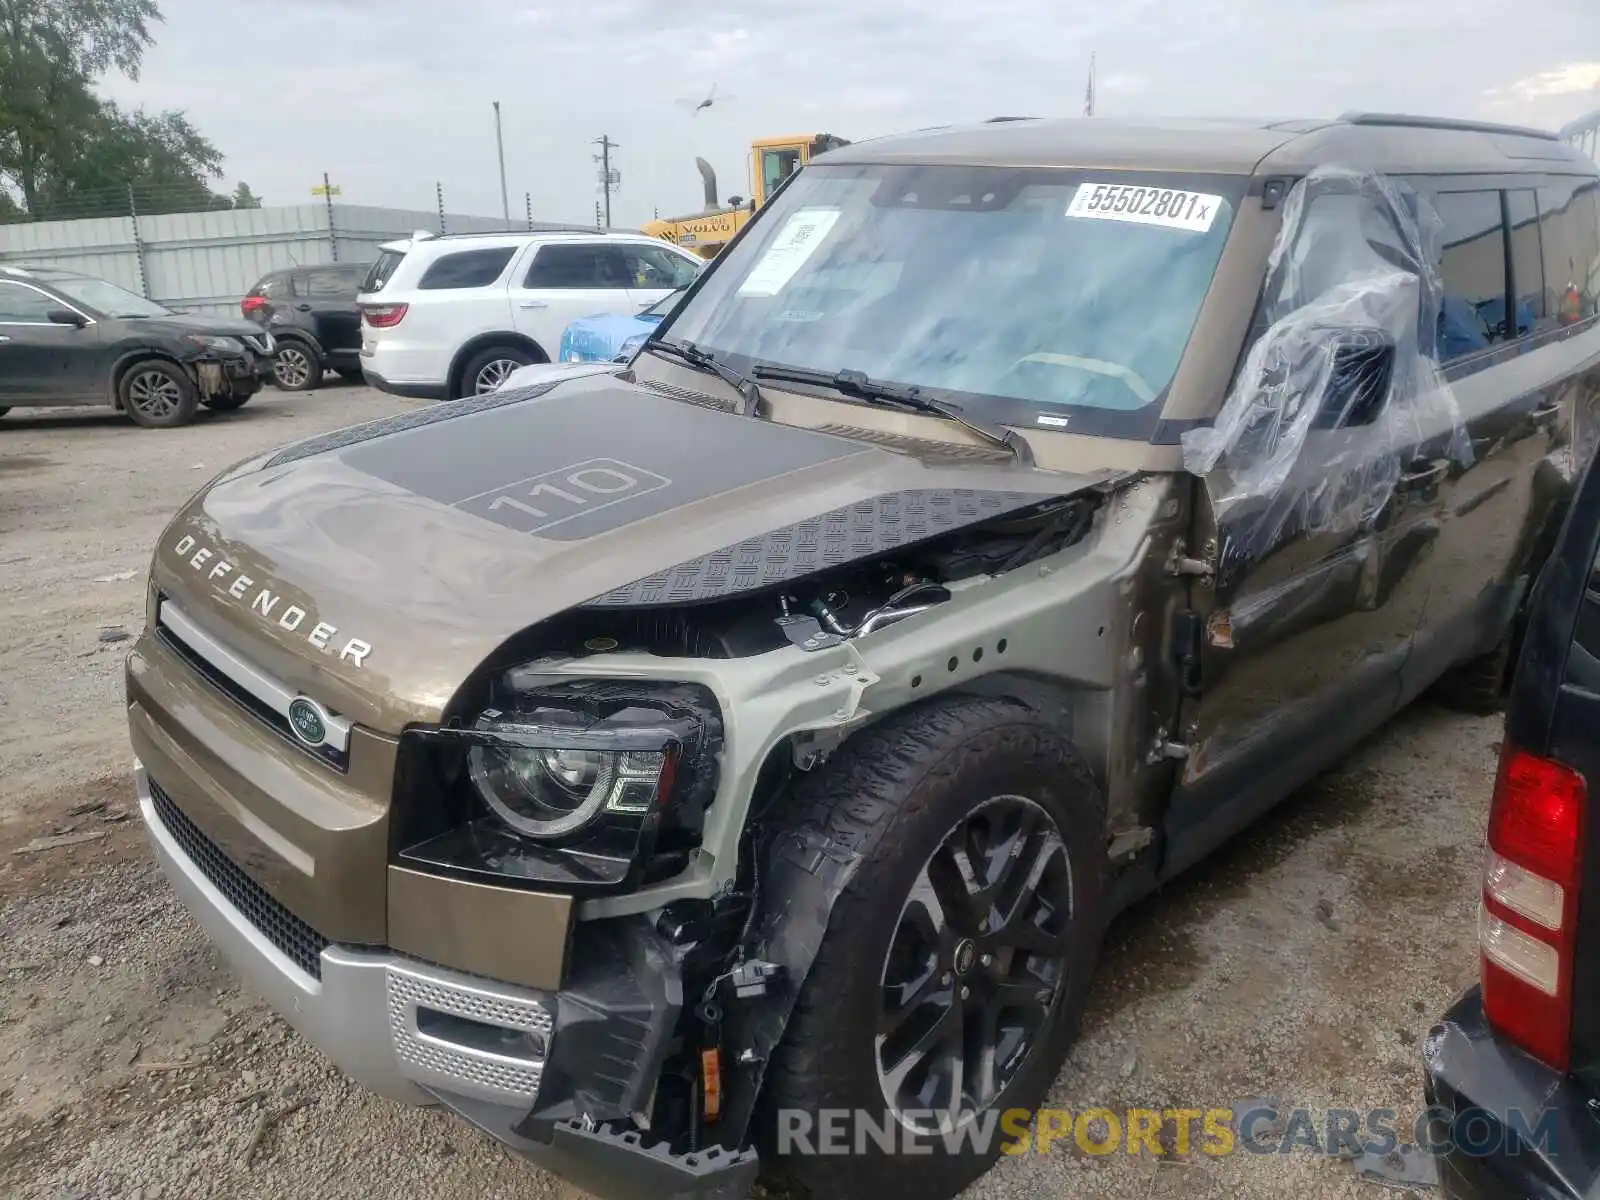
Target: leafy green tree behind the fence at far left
63, 150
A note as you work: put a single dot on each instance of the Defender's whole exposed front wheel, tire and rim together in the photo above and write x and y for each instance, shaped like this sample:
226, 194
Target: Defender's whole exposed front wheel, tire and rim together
956, 964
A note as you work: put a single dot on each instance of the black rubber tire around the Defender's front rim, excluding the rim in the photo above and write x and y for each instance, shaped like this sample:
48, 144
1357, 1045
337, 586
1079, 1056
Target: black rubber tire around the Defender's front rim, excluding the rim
892, 794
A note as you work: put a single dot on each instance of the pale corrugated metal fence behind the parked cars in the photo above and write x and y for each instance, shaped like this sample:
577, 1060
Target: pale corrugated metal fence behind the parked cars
207, 262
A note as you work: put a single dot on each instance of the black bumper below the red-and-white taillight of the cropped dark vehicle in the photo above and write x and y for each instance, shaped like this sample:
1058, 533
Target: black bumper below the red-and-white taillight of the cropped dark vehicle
1487, 1094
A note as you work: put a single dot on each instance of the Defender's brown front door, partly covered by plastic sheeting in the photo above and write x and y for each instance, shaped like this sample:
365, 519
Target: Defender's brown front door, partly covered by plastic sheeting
1319, 583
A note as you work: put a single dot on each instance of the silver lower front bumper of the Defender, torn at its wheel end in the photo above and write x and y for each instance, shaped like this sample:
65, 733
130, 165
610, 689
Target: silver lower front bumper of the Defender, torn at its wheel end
524, 1066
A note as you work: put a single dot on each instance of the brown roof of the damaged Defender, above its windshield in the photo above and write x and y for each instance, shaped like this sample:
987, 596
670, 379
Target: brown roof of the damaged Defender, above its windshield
1361, 142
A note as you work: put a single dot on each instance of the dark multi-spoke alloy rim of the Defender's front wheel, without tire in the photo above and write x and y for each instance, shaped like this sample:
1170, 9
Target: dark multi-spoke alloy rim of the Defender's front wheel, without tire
977, 964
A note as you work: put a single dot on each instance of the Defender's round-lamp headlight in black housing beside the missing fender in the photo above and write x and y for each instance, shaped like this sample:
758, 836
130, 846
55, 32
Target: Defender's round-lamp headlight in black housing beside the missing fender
580, 786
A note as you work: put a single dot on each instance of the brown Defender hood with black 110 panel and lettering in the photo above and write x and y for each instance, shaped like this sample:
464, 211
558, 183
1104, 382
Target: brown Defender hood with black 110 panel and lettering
377, 567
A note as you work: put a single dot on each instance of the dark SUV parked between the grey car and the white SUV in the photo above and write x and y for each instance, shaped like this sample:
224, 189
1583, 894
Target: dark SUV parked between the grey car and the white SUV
311, 313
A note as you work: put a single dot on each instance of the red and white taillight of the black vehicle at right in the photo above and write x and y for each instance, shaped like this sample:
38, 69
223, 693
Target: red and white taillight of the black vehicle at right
1529, 916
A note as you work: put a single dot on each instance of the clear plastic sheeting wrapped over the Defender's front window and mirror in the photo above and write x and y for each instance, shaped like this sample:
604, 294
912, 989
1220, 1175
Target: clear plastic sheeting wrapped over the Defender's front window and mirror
1342, 390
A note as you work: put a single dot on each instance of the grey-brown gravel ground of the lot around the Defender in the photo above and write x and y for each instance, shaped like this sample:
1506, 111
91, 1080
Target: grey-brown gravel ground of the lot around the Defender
1302, 966
